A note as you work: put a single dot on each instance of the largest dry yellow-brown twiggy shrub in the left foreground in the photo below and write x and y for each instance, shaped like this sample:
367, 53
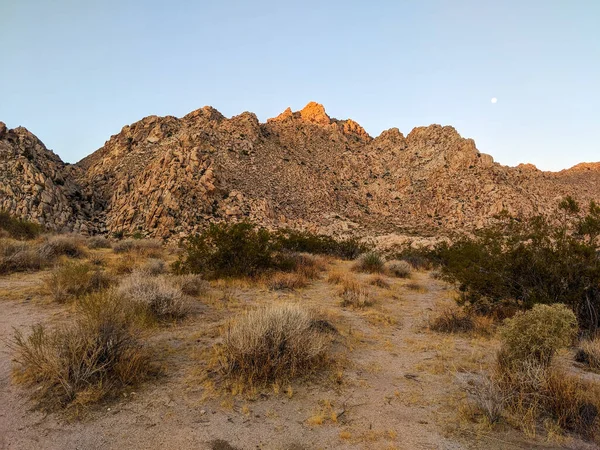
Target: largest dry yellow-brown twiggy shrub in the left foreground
93, 359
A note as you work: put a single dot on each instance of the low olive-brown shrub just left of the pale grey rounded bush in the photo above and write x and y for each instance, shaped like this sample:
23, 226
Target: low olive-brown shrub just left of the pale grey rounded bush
75, 279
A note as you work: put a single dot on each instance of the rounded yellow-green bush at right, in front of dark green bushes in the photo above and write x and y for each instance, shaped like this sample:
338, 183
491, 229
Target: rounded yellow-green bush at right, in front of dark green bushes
536, 334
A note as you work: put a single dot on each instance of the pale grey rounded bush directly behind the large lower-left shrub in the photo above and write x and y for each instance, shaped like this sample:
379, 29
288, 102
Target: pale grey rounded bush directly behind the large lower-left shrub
155, 296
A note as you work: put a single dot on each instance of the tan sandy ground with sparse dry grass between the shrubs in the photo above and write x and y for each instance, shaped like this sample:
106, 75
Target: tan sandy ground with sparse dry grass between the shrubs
399, 388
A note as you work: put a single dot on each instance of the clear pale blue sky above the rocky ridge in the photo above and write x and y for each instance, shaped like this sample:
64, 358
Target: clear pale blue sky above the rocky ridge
74, 72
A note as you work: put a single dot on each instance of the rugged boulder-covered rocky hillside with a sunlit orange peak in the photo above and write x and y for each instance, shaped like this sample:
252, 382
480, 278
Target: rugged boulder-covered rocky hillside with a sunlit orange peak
167, 177
